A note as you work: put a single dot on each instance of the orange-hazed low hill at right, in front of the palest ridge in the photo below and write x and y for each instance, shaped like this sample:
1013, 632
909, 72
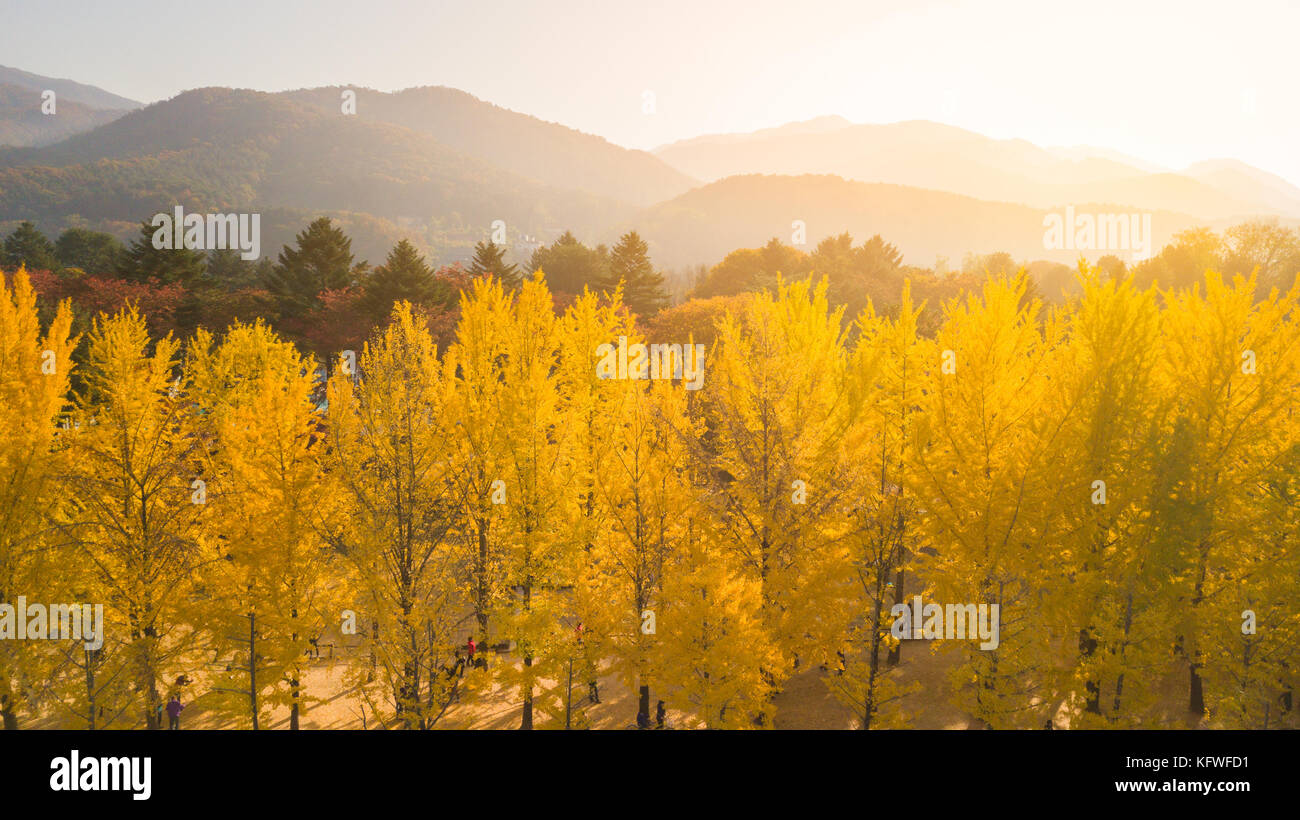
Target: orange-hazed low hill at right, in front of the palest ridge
705, 224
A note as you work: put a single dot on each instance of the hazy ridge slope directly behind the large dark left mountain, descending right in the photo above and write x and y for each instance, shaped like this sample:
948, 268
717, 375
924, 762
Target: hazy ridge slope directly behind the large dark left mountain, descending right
519, 144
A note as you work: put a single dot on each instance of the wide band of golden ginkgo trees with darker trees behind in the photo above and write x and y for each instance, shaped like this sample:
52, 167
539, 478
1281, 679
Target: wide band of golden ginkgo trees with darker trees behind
1115, 468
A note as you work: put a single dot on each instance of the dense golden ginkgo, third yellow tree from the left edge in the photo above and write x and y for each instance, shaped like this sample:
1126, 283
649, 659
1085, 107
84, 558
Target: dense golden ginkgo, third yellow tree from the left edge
271, 589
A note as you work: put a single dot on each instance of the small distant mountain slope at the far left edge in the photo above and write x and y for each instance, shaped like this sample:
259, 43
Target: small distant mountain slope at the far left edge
77, 109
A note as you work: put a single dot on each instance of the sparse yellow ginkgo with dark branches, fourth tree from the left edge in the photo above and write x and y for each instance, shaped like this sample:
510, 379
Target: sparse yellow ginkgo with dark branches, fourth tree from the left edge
391, 459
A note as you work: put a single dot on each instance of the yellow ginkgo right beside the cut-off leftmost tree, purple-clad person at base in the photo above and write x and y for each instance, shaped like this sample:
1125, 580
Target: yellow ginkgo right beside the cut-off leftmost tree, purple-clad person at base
136, 501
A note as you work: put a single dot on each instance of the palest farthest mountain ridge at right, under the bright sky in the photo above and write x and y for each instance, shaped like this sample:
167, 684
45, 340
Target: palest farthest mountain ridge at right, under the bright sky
950, 159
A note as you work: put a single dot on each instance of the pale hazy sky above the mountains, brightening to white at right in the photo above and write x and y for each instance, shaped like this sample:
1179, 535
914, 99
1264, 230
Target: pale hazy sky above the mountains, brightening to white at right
1169, 83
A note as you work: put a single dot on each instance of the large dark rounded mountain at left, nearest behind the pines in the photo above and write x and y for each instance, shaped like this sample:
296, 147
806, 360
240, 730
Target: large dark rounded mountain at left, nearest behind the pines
220, 150
